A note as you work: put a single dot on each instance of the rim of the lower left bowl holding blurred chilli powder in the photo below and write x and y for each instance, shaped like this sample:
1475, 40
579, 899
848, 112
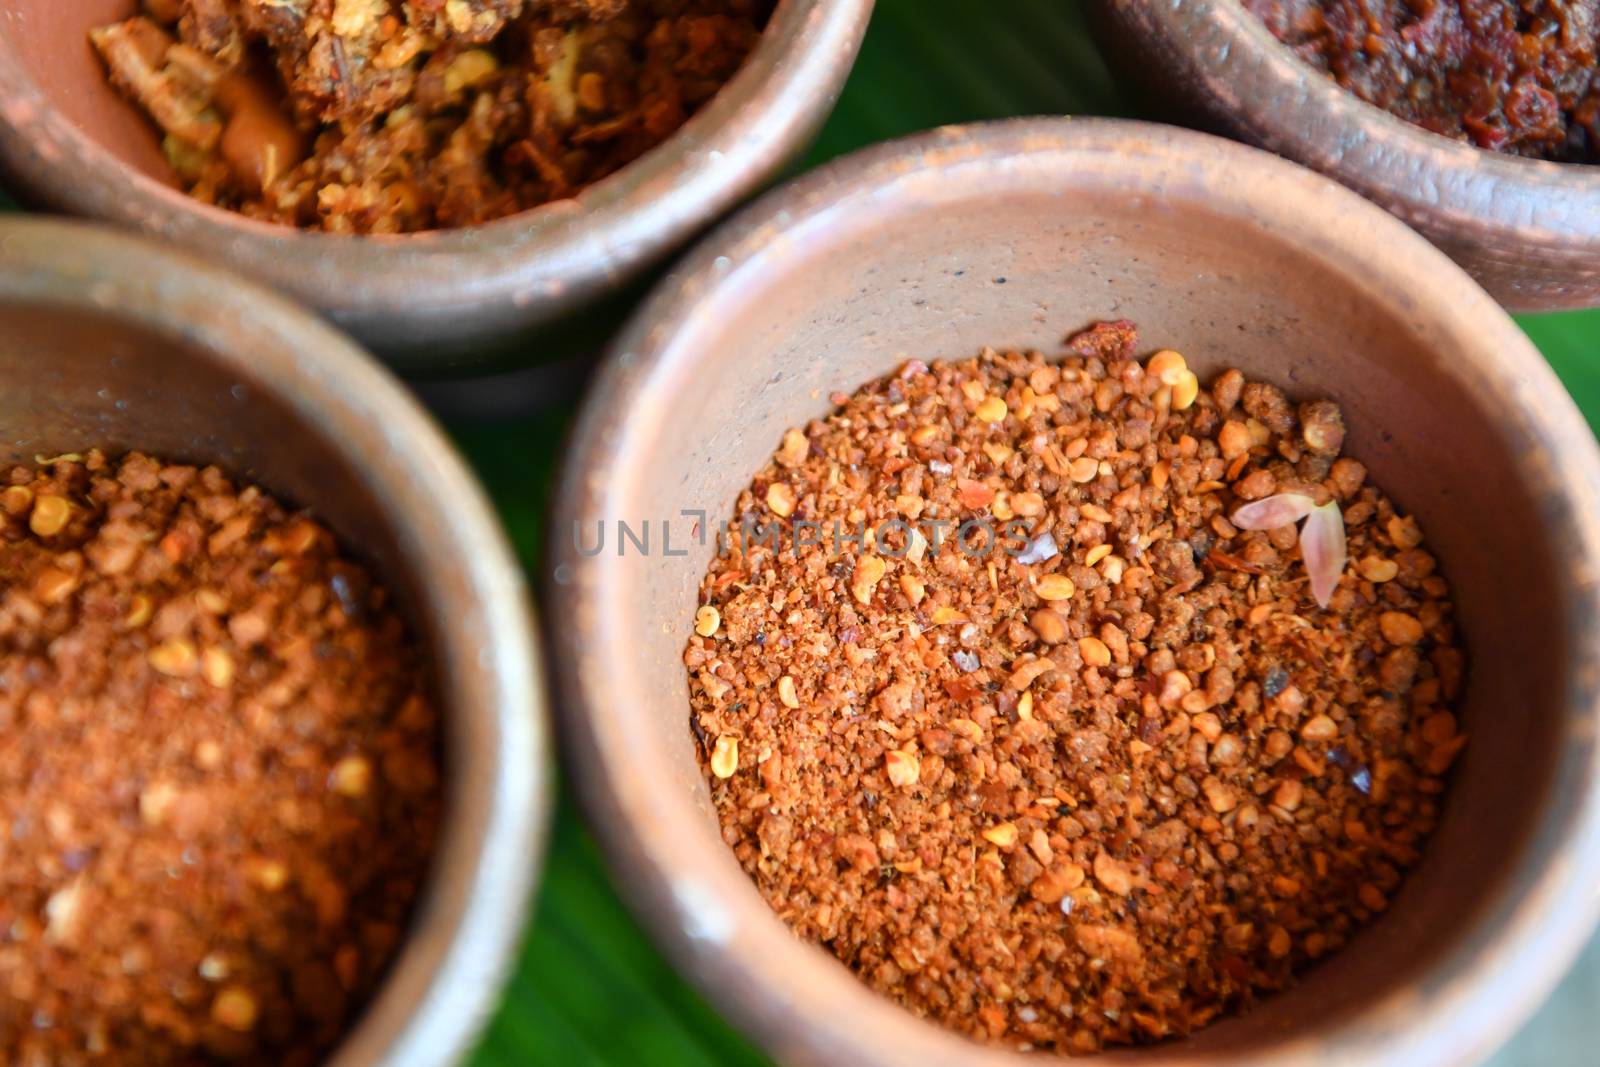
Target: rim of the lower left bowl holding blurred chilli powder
470, 921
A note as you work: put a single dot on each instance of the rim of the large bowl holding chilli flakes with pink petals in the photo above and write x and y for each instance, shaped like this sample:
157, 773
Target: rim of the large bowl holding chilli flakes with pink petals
801, 1005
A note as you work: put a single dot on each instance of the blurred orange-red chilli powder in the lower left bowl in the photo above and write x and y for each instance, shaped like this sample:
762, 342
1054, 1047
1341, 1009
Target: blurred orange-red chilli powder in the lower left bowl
218, 772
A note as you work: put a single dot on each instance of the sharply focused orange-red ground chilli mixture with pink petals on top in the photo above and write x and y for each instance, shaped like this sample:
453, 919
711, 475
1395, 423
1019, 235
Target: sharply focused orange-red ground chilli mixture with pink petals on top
1113, 778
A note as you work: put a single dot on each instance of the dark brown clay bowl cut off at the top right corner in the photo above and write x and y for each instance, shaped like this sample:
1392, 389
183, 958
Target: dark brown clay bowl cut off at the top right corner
1529, 231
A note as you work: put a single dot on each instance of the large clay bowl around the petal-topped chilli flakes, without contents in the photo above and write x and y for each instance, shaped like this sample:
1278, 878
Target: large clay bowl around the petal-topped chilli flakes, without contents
1014, 236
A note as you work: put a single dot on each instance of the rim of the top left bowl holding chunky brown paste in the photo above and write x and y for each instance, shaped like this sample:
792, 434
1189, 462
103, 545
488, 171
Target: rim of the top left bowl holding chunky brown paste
540, 262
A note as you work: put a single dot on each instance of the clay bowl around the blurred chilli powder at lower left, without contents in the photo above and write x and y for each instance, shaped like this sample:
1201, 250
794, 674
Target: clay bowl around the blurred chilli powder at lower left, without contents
111, 342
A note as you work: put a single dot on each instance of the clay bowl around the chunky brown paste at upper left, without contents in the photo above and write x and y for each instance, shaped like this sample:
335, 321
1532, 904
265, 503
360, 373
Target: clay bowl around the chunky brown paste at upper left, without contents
426, 302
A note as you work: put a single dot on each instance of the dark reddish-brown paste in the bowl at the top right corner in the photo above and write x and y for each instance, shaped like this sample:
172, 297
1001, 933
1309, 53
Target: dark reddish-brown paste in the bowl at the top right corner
1511, 76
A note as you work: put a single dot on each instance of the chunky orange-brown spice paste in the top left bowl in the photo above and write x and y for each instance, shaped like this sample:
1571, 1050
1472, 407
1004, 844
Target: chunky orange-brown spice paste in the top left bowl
398, 116
